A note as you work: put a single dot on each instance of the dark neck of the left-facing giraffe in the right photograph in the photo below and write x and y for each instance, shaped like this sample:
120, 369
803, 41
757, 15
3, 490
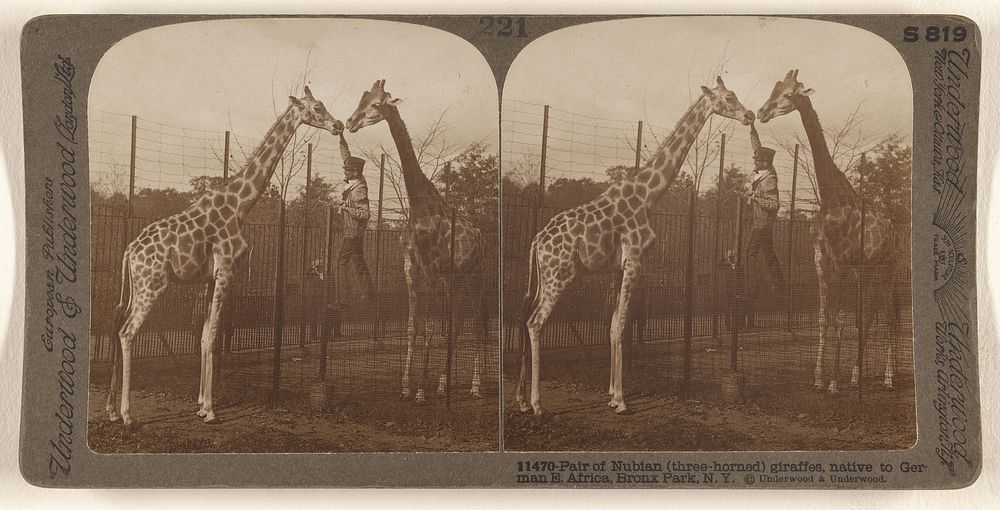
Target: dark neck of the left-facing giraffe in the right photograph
834, 189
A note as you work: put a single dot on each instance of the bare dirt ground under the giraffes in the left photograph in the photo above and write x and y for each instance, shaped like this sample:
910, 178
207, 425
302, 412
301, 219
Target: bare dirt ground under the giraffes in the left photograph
358, 418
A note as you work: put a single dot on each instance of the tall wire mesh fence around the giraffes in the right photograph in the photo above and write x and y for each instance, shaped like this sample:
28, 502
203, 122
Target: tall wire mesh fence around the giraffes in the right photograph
704, 307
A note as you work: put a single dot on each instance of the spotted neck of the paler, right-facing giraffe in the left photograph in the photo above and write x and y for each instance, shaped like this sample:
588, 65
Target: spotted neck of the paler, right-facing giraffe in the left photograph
251, 182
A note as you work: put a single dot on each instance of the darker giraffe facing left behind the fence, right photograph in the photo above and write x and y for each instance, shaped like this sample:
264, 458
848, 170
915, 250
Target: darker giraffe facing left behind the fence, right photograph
836, 234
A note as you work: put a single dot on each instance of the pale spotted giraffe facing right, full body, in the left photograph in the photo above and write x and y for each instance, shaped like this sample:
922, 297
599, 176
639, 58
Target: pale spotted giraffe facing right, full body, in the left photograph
201, 244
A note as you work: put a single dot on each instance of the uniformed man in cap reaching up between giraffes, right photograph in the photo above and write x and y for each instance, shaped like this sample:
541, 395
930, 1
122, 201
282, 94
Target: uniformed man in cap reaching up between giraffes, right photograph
764, 204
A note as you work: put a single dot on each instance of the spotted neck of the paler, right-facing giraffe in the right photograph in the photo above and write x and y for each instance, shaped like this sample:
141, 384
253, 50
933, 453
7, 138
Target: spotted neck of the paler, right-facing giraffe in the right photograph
659, 174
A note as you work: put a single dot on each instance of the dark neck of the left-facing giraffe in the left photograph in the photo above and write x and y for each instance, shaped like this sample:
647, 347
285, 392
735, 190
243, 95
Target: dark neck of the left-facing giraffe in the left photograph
423, 196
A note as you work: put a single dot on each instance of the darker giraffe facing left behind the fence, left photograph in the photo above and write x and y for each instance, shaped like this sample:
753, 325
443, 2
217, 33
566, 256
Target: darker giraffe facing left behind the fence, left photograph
426, 241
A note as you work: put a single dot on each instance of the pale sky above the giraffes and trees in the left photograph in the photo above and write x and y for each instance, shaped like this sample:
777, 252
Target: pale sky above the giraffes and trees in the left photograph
189, 83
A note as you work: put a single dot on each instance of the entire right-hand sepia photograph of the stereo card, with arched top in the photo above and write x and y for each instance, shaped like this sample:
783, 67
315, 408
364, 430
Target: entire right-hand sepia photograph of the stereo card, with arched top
706, 229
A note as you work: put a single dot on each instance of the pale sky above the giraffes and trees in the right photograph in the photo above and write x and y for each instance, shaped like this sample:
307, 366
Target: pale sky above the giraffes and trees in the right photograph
602, 78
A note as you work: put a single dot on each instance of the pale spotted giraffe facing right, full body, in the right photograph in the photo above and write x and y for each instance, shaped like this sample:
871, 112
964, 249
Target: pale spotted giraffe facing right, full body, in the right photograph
610, 232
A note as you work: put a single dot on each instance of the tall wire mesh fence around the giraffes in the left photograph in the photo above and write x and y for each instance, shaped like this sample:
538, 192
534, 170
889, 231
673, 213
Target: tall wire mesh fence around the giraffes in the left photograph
296, 327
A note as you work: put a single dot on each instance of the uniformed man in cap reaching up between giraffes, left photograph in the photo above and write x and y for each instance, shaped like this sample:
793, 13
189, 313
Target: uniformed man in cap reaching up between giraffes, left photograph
355, 213
